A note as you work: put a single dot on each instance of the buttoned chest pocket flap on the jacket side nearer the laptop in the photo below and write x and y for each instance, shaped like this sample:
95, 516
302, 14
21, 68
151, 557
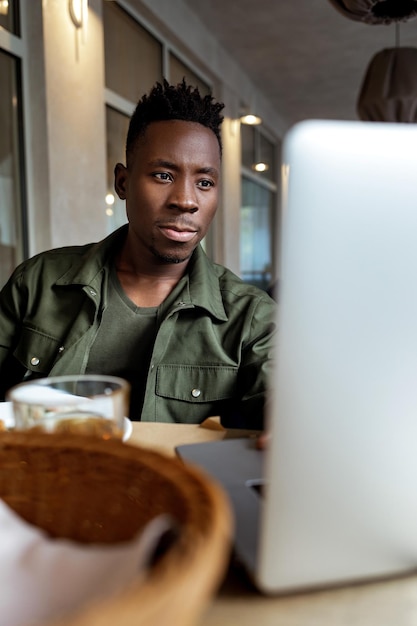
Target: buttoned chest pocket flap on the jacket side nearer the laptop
196, 384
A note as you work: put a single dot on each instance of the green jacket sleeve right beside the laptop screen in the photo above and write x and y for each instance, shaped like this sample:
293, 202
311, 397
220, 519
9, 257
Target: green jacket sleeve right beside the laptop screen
255, 369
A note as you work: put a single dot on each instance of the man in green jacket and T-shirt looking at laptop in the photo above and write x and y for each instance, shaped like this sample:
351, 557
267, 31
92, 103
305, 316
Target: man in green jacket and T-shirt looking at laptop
146, 303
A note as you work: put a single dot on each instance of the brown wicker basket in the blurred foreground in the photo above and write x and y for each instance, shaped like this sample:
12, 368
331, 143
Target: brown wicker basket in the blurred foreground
93, 491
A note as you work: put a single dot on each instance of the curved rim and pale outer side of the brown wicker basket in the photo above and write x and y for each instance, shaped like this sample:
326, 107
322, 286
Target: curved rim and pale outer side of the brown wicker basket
180, 585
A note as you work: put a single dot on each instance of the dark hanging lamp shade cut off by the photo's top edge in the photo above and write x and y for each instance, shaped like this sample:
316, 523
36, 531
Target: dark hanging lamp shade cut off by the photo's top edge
377, 11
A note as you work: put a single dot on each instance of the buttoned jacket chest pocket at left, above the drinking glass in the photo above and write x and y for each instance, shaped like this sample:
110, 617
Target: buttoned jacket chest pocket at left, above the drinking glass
36, 351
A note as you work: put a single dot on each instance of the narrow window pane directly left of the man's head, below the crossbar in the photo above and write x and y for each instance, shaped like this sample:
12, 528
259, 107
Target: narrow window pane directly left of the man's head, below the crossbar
116, 129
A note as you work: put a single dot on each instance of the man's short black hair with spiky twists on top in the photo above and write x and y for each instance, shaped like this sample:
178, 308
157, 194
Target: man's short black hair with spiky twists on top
173, 102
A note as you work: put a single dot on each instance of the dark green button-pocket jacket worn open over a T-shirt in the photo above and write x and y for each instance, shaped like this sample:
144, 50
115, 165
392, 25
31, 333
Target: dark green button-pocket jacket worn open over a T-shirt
211, 356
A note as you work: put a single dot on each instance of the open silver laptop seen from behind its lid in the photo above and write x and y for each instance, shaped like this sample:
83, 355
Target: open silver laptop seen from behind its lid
339, 504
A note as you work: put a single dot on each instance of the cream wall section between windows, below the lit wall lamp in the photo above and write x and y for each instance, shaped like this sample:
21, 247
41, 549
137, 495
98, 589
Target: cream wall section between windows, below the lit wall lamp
67, 128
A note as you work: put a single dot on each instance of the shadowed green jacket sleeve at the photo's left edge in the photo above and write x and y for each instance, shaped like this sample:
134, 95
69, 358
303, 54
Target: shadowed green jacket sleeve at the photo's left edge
11, 307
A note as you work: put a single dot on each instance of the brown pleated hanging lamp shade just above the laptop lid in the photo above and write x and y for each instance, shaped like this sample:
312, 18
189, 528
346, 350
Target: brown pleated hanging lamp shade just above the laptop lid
389, 88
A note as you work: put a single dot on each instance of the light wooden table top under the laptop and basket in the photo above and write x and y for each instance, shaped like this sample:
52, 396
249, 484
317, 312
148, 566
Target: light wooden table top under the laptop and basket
387, 603
